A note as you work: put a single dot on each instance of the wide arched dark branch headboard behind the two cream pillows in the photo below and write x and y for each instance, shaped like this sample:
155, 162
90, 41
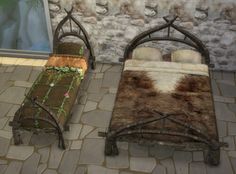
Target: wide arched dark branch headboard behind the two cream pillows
189, 40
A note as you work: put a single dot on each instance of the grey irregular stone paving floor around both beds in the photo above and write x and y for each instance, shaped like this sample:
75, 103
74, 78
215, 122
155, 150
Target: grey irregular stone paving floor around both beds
39, 154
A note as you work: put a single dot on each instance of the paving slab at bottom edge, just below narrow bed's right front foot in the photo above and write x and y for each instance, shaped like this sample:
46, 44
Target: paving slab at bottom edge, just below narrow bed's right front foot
69, 162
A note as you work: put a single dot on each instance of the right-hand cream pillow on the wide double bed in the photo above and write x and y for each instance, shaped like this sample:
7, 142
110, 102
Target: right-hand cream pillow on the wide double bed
186, 56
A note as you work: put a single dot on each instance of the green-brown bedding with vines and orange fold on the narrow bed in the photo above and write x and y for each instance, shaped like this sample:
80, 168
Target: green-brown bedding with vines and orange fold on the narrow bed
56, 88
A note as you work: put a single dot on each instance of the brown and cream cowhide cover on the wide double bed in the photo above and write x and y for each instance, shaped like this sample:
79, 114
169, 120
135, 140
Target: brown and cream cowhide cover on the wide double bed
168, 89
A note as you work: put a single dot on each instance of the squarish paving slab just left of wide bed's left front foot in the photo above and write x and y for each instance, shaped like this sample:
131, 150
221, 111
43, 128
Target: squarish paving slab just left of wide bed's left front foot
92, 151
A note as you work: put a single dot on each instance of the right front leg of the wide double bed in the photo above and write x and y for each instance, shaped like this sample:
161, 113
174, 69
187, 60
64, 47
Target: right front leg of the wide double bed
212, 156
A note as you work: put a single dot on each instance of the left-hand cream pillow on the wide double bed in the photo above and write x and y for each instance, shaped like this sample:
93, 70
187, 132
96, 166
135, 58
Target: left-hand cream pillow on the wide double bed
147, 53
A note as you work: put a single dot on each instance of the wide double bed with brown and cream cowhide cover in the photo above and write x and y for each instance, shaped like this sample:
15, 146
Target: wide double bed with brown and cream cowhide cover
165, 100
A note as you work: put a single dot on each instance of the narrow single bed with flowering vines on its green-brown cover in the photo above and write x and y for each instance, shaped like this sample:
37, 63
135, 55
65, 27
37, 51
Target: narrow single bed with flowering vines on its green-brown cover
47, 106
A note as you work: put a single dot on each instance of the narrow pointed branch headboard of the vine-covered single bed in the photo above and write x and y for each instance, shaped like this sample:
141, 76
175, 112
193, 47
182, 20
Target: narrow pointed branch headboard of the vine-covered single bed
80, 33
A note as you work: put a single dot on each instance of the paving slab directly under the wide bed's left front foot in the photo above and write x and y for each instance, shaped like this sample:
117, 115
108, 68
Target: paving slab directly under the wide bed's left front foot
118, 162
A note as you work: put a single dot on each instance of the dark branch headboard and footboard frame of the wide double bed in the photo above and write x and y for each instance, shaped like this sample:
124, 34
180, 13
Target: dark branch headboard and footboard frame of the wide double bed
210, 146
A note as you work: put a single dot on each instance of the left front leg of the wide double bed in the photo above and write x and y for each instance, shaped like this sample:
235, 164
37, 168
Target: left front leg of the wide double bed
111, 147
